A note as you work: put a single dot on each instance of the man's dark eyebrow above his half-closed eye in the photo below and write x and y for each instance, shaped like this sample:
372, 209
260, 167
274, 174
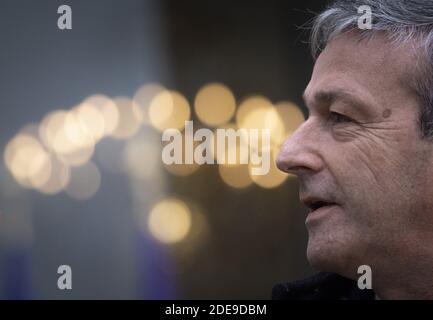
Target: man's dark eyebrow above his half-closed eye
328, 97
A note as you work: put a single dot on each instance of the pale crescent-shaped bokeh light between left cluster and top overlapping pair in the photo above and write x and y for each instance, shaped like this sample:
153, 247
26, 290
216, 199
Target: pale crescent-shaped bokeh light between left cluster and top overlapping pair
130, 117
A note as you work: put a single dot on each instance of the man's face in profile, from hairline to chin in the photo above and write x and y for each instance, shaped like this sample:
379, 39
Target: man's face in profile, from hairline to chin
363, 167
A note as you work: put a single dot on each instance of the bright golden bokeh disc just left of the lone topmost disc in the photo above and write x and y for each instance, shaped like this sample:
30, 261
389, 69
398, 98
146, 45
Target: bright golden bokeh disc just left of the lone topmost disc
169, 110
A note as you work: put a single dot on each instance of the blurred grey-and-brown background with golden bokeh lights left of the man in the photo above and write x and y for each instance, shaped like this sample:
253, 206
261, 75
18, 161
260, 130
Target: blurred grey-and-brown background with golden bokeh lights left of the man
81, 177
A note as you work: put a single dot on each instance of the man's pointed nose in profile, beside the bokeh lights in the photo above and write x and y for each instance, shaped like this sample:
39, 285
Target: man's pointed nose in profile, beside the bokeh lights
300, 153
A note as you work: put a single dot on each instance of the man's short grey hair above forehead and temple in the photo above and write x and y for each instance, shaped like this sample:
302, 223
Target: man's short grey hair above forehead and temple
403, 21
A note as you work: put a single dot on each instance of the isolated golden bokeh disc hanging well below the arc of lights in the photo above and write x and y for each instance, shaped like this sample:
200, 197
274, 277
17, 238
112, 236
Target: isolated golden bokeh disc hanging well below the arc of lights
169, 221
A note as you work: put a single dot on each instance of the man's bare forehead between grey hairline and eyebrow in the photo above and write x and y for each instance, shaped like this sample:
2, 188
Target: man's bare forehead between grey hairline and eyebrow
372, 69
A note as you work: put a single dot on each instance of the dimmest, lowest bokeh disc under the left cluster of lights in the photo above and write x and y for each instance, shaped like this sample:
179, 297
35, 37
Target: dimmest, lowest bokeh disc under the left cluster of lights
84, 182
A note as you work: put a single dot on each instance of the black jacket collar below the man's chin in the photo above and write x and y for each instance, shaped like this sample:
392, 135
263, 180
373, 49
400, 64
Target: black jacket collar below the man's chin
322, 286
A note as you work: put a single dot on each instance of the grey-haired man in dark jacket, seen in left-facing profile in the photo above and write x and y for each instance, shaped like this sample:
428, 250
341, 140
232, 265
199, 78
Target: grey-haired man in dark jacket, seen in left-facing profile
364, 157
